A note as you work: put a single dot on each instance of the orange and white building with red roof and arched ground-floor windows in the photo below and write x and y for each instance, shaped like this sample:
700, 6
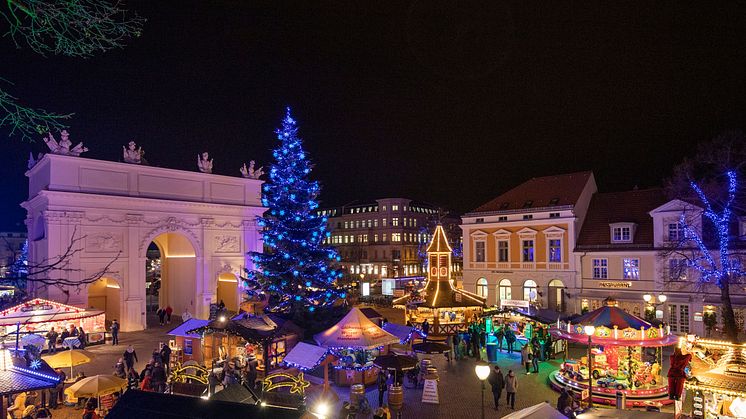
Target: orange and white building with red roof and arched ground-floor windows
519, 246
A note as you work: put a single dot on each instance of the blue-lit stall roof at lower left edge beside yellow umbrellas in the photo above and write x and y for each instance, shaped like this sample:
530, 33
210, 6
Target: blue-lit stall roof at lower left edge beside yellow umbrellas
17, 378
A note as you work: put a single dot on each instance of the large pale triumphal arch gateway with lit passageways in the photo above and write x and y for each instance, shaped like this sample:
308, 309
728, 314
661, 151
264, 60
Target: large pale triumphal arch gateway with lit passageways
202, 224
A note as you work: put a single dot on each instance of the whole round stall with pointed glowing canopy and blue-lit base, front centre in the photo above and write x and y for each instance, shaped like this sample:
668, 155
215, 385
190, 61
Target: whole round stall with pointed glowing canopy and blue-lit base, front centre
356, 341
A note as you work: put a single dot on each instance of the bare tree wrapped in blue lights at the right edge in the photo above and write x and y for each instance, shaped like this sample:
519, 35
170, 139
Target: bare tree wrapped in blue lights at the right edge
710, 243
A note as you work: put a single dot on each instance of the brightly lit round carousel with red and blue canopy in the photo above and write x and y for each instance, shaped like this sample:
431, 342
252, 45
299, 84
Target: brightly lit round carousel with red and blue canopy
624, 355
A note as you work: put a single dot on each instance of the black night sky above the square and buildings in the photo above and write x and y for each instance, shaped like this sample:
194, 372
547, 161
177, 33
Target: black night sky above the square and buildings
444, 101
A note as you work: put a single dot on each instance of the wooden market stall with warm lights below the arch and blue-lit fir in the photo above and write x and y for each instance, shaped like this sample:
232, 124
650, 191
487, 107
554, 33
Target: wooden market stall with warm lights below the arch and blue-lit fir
247, 337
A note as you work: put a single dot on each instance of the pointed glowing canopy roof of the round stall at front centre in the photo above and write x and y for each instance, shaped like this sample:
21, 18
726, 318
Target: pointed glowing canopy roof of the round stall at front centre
355, 331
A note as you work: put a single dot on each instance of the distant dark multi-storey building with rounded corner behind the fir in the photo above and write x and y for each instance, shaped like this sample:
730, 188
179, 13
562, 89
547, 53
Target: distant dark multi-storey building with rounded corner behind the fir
385, 238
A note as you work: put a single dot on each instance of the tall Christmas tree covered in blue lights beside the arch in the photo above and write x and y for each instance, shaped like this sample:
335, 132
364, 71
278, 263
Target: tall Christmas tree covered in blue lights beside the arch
297, 273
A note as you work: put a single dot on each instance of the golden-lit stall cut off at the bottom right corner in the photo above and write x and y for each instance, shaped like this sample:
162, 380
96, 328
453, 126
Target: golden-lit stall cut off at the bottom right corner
716, 387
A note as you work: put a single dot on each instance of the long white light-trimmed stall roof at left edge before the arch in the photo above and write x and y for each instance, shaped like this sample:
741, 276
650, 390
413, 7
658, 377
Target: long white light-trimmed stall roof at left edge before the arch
38, 310
